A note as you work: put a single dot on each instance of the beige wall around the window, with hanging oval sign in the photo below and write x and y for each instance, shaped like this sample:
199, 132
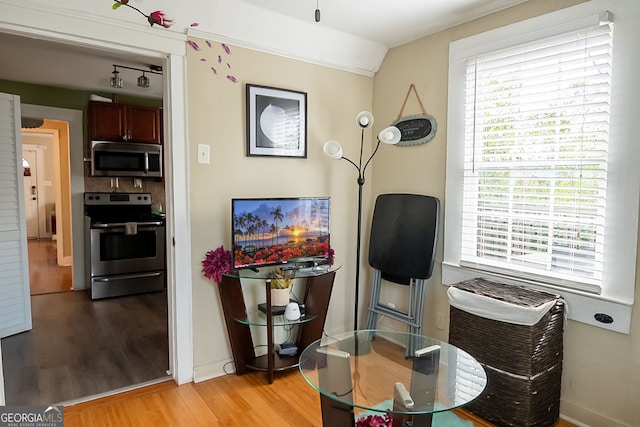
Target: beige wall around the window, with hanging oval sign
601, 376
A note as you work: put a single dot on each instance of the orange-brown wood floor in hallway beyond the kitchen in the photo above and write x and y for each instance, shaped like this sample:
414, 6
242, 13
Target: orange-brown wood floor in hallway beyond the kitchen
45, 275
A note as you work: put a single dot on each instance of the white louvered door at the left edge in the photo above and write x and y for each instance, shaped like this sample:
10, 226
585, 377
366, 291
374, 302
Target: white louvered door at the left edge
15, 303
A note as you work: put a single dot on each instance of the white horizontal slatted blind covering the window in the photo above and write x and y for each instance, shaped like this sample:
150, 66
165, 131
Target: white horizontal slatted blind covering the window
536, 135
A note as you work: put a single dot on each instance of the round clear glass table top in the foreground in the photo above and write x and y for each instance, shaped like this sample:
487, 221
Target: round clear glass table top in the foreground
392, 372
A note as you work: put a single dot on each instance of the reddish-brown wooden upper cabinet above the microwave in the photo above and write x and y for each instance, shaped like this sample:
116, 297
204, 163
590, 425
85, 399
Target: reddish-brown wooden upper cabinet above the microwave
122, 122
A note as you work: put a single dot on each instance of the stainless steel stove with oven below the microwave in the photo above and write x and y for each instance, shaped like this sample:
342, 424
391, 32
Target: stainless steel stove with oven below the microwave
125, 248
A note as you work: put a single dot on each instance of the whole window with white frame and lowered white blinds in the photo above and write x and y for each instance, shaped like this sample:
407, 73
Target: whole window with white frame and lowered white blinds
535, 139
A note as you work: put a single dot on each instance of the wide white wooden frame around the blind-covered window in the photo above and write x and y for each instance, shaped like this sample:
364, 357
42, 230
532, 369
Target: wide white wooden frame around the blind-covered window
617, 295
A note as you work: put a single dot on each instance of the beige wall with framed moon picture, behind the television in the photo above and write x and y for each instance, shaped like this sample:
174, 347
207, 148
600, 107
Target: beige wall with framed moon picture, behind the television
216, 116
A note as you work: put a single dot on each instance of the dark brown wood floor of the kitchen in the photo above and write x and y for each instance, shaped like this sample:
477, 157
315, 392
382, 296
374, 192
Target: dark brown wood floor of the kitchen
79, 347
